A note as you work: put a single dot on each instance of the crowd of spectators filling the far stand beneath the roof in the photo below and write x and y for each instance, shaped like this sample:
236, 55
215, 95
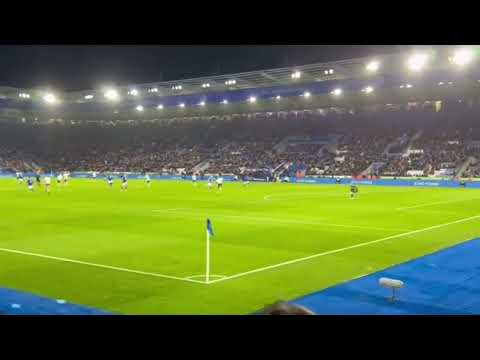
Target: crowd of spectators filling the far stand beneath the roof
249, 142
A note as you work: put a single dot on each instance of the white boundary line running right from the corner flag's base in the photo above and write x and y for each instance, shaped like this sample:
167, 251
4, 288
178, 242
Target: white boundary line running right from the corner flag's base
344, 249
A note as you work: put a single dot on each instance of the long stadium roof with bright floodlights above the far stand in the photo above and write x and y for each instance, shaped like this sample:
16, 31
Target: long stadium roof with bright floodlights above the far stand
438, 59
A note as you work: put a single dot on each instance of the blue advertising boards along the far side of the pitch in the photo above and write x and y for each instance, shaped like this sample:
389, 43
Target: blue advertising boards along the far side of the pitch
293, 180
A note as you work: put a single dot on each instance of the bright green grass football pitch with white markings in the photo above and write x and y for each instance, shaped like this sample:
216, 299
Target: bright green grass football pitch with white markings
143, 251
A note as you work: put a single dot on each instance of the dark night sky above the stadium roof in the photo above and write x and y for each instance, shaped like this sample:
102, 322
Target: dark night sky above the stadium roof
79, 67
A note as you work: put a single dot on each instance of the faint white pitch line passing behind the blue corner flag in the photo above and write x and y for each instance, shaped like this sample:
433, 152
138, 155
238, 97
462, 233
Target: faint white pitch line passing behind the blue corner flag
283, 221
